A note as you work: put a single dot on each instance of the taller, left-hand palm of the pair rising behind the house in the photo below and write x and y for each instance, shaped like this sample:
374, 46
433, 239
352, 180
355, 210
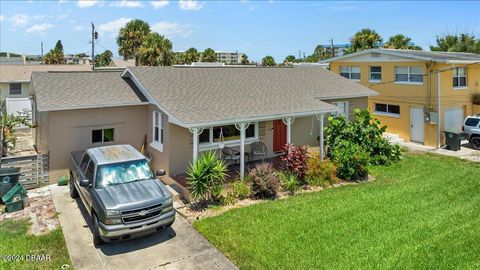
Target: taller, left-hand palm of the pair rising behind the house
130, 38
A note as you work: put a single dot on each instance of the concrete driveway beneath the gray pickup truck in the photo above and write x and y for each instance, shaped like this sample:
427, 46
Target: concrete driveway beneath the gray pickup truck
180, 247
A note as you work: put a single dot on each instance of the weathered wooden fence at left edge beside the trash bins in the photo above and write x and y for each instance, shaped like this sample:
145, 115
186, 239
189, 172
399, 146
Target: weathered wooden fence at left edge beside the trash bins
34, 168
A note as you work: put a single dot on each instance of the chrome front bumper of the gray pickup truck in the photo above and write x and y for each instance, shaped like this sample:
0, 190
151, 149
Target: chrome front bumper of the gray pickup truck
144, 227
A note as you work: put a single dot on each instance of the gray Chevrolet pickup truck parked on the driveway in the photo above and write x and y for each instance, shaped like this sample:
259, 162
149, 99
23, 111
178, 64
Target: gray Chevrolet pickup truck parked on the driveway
120, 192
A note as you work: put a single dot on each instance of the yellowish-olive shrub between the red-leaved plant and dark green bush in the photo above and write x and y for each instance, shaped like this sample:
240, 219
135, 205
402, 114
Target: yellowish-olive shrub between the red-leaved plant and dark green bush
320, 172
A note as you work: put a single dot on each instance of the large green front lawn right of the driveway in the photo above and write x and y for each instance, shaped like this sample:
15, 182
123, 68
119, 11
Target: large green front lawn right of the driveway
422, 213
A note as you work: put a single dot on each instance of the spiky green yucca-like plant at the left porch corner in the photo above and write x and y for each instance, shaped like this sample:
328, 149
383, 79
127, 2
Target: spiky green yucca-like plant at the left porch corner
207, 175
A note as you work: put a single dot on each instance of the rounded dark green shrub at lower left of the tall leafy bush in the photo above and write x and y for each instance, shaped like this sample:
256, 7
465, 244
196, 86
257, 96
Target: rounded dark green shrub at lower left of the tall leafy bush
352, 161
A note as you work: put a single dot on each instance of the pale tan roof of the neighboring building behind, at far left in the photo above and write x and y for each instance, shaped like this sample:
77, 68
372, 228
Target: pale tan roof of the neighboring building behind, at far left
23, 73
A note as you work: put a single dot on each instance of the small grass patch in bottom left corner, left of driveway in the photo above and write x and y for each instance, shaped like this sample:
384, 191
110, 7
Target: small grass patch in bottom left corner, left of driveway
15, 241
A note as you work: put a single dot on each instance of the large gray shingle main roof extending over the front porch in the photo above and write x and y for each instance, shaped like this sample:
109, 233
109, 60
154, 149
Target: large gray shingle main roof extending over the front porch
208, 95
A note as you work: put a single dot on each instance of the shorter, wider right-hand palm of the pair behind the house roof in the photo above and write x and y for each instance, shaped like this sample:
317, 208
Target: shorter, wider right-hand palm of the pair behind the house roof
156, 50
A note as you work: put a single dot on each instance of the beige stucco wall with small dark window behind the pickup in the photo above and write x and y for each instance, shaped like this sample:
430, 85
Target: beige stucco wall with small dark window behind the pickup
62, 132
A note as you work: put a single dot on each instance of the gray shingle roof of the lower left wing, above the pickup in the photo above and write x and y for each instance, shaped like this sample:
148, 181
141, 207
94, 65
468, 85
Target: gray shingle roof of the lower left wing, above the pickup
74, 90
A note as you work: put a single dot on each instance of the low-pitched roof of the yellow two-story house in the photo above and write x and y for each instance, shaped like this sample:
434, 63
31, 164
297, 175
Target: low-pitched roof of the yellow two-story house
444, 57
